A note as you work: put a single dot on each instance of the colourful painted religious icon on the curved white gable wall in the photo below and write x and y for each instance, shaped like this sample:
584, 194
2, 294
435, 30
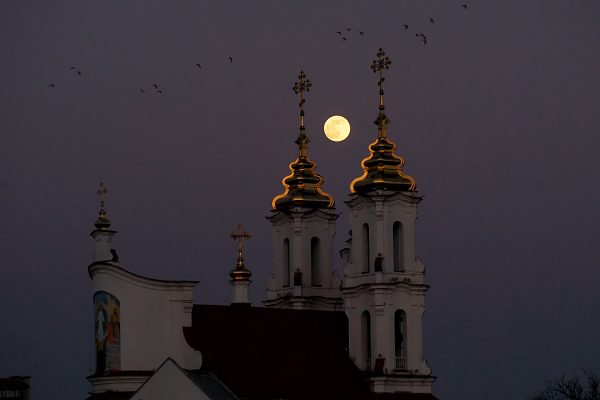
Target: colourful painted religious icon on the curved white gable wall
108, 332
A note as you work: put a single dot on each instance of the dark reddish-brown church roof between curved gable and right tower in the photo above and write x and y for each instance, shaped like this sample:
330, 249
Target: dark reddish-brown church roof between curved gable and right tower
264, 353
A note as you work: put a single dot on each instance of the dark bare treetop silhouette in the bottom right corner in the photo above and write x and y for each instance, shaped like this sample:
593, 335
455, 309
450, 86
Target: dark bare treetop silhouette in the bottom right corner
571, 388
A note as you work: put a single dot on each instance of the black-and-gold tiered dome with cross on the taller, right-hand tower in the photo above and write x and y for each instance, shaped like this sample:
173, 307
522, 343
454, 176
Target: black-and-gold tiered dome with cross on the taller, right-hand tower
382, 169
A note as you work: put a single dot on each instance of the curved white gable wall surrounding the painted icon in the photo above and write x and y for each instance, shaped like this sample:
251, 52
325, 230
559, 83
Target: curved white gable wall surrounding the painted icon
152, 316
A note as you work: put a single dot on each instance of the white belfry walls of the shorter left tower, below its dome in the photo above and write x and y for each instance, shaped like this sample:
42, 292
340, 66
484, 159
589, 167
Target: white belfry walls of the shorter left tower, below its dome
303, 275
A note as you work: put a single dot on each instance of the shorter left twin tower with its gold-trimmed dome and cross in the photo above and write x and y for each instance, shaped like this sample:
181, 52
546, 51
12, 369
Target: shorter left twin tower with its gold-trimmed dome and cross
303, 225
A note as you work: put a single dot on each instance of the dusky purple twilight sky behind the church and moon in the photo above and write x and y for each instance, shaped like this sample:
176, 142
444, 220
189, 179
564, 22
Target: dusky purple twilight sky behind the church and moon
497, 119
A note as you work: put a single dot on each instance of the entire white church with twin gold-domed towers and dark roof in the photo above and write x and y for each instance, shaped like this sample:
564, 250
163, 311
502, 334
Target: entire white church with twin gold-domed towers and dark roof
321, 334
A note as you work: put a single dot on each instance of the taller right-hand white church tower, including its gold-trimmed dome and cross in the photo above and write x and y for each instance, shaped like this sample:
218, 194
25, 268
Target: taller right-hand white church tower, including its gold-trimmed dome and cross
384, 289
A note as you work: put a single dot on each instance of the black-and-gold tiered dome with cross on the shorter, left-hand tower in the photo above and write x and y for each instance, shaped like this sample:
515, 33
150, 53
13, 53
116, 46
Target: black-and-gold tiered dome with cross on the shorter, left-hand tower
303, 185
